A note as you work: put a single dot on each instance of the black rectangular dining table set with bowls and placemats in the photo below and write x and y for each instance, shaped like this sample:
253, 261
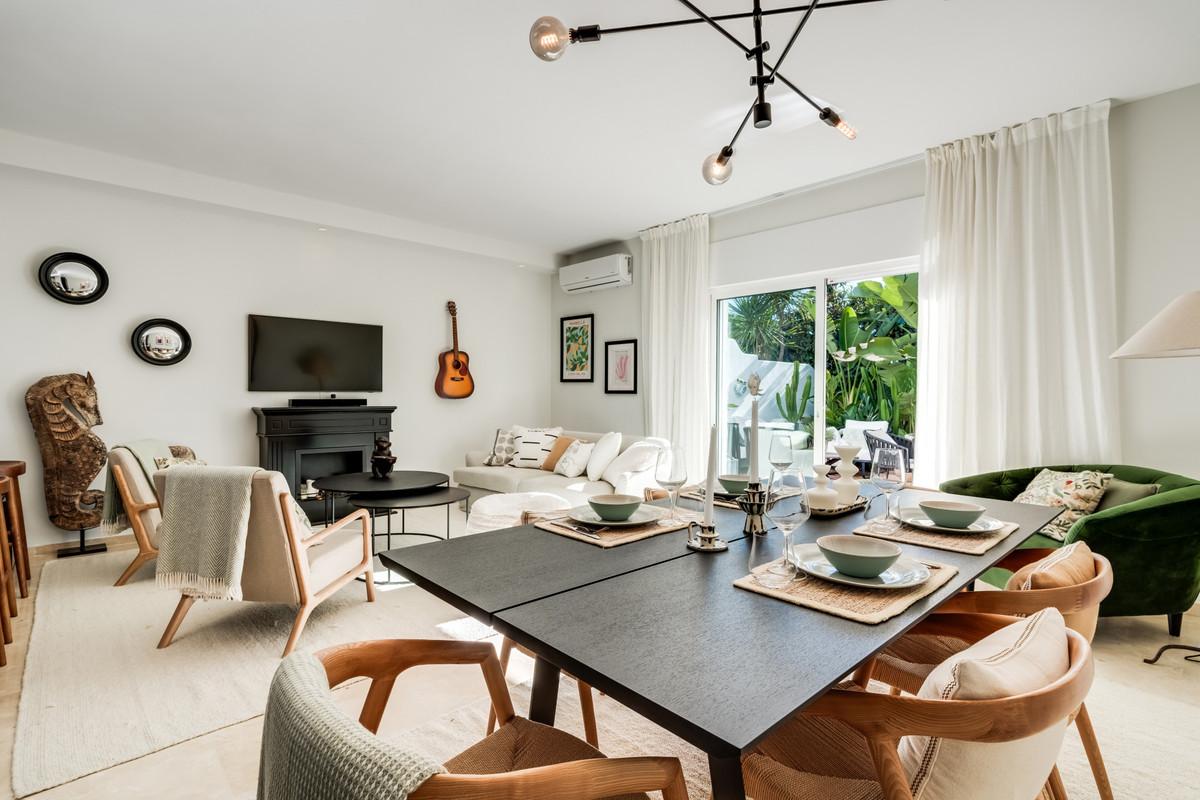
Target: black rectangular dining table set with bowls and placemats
663, 630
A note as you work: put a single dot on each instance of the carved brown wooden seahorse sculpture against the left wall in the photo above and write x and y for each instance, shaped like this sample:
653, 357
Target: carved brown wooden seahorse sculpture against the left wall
64, 410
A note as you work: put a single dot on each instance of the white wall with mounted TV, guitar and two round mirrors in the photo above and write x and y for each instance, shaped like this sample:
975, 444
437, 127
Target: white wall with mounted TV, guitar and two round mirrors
208, 267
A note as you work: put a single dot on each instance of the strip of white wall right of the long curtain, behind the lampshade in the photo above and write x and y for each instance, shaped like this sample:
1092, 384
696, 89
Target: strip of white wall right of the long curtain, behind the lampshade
1156, 185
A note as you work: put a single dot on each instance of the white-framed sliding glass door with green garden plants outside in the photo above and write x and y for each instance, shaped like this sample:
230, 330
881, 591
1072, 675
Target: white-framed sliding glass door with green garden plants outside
859, 324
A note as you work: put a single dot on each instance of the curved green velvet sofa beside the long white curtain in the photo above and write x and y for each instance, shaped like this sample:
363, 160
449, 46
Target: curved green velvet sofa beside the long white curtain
1154, 544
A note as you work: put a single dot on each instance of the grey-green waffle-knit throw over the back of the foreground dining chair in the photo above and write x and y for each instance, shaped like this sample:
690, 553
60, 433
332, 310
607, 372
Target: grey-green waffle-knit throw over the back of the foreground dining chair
313, 750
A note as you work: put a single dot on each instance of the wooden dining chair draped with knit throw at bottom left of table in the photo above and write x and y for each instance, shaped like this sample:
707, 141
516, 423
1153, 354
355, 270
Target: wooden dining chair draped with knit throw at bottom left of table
313, 749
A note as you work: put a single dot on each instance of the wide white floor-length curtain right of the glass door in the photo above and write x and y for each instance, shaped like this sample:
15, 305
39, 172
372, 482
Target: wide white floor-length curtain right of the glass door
1018, 300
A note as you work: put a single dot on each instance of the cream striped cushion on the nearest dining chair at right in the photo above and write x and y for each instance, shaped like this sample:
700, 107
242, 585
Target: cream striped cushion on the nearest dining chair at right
1016, 660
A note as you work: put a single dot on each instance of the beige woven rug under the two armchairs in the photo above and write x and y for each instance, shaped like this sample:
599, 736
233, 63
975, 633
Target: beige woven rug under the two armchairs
98, 693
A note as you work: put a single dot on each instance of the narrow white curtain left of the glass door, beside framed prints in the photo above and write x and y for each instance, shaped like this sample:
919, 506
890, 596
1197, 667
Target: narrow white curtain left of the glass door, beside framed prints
676, 336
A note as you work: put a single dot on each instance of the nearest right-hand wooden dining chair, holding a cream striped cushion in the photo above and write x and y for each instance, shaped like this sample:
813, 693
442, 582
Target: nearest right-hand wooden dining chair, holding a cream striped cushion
877, 747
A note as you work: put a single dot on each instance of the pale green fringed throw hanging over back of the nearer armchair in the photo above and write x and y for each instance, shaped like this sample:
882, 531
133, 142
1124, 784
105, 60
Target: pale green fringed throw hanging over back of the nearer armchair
202, 540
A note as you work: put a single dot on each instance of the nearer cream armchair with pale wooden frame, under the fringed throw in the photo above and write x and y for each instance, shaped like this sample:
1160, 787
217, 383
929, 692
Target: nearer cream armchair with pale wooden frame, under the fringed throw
283, 567
